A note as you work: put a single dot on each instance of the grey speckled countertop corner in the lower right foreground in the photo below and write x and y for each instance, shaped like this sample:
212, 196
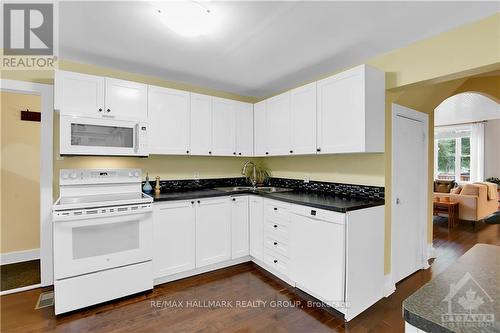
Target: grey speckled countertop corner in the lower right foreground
463, 298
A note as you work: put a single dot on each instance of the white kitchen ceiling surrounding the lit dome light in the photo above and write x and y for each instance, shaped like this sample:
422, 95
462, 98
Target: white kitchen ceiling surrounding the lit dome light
263, 47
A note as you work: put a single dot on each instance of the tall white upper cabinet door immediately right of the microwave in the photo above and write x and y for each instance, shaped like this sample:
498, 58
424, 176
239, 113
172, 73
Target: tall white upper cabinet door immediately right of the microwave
169, 114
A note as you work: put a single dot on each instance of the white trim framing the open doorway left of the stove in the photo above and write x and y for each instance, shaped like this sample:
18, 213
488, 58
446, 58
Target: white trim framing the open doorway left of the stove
46, 164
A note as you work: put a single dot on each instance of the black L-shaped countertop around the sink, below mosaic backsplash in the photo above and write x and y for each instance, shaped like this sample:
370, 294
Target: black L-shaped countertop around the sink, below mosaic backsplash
340, 204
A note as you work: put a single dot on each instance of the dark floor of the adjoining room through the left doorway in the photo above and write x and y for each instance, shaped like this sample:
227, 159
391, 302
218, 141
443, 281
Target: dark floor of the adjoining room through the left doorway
19, 275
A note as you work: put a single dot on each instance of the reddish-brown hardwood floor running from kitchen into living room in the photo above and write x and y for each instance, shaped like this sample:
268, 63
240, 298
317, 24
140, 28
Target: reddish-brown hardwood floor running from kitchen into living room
242, 282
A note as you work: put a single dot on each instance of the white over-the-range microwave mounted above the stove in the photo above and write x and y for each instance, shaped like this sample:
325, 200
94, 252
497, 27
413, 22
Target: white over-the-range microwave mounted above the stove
94, 136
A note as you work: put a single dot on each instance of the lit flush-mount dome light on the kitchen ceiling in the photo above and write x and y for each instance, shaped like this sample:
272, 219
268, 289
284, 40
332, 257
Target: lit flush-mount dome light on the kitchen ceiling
187, 18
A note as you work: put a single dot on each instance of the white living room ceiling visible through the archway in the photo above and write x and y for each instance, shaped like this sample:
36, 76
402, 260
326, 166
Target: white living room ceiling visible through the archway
466, 108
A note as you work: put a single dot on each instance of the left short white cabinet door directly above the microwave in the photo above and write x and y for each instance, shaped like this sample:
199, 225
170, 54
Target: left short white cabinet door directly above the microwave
79, 94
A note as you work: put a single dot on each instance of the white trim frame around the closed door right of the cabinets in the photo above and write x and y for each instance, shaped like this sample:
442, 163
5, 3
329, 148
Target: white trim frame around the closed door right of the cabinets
398, 110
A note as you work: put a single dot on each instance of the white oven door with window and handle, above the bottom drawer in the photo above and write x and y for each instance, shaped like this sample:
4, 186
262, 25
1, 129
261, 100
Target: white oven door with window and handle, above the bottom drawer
98, 243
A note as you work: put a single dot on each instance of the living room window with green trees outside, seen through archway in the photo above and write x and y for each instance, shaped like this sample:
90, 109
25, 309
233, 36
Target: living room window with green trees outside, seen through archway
453, 153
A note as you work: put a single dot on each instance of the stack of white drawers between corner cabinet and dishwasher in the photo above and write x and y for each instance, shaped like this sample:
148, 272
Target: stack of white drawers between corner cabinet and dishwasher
277, 235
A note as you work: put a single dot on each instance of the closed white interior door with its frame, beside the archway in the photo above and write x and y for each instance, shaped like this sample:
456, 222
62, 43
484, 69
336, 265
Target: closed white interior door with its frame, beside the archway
409, 193
